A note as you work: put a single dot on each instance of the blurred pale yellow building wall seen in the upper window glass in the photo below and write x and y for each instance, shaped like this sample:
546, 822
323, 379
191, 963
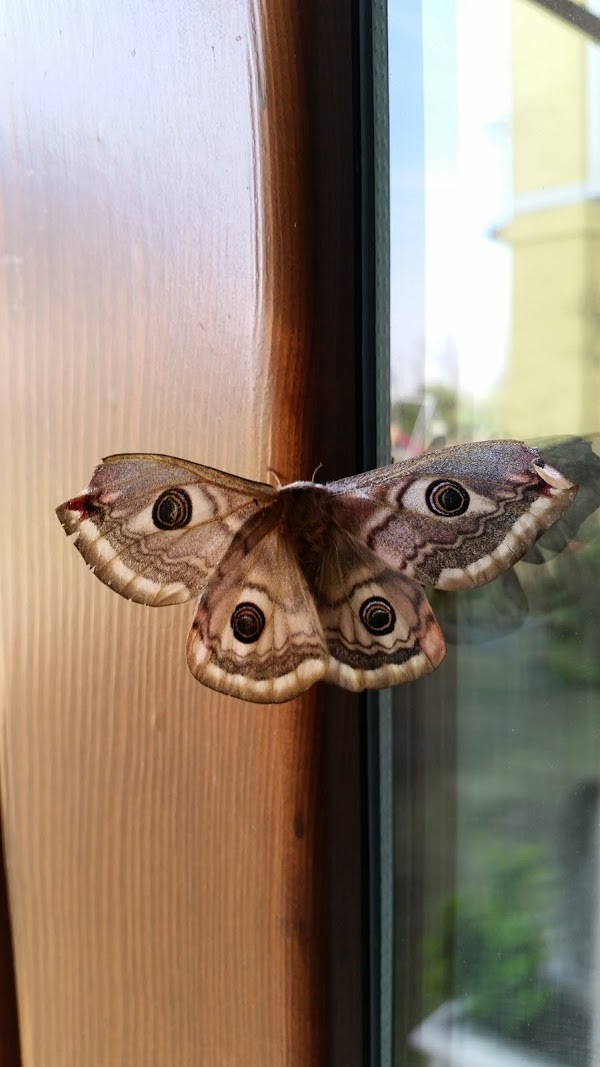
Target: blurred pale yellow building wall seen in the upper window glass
554, 378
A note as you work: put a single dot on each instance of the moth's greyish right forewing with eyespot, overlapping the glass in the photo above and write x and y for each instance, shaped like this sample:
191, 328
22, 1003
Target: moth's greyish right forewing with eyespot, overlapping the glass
502, 498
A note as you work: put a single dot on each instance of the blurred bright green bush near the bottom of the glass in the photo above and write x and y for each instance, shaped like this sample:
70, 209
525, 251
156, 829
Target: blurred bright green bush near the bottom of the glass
490, 946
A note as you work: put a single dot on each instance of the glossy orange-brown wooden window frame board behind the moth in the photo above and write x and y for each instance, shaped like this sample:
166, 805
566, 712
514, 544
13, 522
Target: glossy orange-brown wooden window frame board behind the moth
163, 843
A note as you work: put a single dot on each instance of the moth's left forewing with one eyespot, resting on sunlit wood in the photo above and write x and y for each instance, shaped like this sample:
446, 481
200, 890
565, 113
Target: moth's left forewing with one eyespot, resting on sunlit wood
154, 528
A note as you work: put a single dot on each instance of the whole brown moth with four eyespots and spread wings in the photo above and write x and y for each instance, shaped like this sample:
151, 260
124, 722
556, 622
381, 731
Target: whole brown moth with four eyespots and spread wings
308, 581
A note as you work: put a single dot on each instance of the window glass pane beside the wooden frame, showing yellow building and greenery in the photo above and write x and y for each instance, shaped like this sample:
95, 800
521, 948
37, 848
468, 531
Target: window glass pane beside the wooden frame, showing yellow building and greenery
496, 315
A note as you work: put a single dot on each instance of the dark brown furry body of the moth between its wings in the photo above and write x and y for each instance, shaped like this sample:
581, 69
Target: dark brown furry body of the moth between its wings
308, 518
